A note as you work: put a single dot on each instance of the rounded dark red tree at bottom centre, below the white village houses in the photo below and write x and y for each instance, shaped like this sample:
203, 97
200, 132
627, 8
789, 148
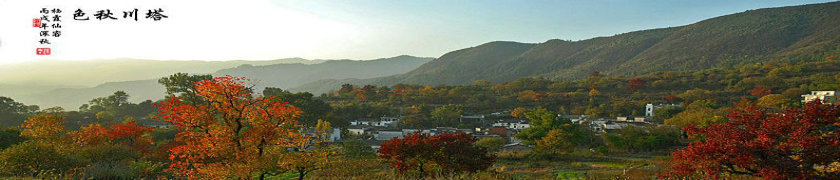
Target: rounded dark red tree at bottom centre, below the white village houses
453, 152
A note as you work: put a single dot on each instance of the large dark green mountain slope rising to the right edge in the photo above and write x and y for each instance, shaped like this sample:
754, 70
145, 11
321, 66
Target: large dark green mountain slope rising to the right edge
785, 33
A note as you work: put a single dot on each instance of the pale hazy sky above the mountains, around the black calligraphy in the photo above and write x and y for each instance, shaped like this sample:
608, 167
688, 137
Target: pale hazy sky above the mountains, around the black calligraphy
355, 29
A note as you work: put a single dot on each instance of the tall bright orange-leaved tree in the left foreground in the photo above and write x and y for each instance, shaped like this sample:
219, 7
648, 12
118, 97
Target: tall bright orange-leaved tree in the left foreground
231, 133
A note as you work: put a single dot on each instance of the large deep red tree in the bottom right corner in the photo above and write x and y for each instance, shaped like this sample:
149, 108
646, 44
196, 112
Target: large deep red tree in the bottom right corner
794, 144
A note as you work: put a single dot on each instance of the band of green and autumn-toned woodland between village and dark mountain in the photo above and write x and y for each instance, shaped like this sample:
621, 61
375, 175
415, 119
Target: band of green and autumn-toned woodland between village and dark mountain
779, 83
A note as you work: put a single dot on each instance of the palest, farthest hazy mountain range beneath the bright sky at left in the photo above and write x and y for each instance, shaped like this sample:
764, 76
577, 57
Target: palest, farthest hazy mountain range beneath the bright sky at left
94, 72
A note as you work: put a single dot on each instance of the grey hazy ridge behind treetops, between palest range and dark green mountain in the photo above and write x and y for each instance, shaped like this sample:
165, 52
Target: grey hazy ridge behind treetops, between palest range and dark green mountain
275, 75
